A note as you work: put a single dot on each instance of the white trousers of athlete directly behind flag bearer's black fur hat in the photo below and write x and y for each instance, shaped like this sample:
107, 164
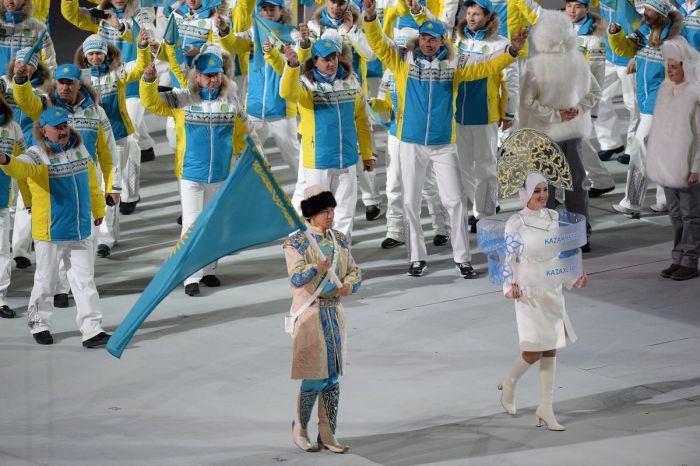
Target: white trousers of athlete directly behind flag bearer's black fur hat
342, 182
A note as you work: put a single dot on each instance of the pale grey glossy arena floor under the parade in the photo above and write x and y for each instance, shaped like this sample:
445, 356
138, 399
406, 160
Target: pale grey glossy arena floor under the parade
206, 380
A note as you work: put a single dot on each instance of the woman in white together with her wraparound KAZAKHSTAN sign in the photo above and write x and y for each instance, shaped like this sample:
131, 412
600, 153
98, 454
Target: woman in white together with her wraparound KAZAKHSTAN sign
543, 256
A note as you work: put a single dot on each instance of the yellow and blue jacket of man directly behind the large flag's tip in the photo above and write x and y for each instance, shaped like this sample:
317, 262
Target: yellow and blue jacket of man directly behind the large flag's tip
210, 128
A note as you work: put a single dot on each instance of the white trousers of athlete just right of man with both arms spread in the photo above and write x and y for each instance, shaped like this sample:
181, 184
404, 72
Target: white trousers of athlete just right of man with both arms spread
477, 146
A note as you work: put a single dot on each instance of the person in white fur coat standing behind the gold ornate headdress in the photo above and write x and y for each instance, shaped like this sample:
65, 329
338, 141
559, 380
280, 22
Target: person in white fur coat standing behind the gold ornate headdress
557, 96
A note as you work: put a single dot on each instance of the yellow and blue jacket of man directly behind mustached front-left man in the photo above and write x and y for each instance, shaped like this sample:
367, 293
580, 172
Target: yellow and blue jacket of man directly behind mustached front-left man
86, 117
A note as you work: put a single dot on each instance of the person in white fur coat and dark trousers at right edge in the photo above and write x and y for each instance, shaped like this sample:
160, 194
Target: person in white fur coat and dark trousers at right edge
673, 154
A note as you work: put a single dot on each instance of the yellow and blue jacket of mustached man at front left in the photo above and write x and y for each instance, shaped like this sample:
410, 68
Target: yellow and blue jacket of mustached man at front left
65, 191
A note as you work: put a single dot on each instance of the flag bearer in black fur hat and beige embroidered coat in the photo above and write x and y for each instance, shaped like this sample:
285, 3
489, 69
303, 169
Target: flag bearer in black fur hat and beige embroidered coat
321, 270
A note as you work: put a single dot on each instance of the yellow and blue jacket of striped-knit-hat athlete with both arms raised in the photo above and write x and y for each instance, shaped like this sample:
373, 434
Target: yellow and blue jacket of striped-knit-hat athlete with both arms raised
111, 81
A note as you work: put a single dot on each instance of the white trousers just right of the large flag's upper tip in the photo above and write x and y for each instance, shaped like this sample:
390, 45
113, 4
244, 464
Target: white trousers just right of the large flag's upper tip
284, 134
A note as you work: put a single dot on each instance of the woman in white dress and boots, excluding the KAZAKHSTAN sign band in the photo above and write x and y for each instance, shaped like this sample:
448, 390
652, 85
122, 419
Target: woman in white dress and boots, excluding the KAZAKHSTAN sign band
543, 323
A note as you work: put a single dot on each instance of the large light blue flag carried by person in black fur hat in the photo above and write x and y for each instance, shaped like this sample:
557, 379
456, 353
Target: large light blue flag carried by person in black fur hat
250, 209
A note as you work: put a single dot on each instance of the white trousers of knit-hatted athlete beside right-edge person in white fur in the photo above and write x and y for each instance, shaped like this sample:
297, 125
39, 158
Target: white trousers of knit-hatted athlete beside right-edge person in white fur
635, 188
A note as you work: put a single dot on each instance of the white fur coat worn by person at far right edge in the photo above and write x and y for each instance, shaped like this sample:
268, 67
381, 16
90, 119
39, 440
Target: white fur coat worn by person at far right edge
673, 147
